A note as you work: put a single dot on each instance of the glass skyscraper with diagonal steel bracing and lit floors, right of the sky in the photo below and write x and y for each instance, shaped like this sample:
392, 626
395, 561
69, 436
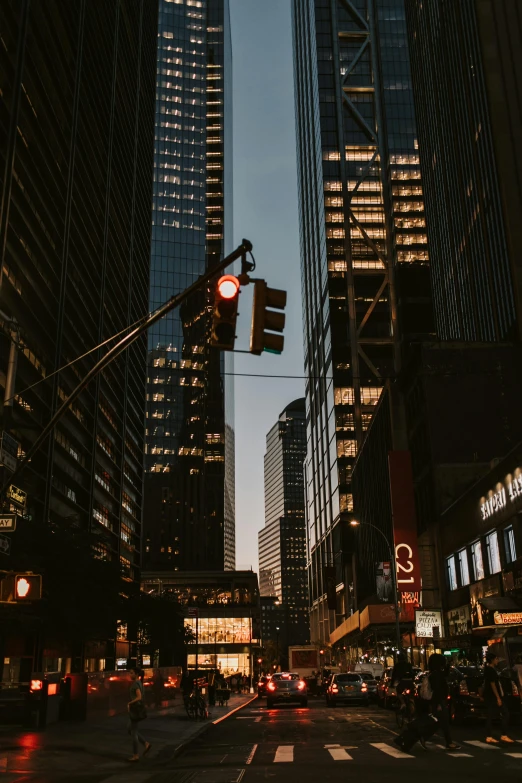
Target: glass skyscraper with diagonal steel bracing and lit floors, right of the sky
364, 249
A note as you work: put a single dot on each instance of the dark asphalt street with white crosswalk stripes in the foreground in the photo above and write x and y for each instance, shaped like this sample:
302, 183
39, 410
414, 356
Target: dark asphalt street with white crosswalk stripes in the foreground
304, 744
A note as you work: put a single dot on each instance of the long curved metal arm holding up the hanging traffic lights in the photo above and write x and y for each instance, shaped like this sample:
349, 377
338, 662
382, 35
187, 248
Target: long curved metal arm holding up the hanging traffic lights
244, 248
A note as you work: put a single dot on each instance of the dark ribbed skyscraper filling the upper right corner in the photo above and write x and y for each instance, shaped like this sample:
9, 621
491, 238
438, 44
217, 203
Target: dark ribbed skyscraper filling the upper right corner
465, 57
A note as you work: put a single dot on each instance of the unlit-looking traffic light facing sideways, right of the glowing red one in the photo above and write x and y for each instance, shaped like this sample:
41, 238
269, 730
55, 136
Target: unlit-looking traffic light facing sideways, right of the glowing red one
266, 321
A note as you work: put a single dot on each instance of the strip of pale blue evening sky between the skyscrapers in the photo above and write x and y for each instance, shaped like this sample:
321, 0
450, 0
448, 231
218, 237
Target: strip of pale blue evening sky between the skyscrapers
265, 211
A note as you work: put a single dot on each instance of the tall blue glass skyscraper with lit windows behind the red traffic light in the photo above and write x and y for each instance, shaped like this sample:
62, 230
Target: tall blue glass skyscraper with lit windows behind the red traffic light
189, 484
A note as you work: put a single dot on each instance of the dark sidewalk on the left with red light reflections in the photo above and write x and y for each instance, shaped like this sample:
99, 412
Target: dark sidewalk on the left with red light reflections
103, 746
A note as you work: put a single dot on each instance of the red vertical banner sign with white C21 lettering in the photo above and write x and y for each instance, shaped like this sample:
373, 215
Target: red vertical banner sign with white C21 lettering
404, 522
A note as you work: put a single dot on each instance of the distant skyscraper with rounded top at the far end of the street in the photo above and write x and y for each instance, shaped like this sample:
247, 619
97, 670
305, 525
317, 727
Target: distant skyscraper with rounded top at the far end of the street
282, 542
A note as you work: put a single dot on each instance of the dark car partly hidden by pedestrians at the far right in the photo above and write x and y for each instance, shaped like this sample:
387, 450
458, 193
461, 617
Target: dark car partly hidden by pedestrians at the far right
465, 700
